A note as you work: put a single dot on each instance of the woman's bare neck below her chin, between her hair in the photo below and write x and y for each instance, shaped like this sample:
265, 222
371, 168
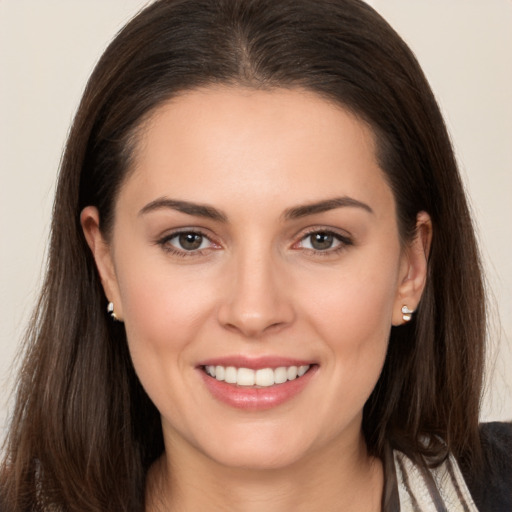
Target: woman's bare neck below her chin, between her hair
337, 479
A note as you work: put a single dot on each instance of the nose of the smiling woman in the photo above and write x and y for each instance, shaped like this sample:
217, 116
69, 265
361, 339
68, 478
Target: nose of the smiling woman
257, 299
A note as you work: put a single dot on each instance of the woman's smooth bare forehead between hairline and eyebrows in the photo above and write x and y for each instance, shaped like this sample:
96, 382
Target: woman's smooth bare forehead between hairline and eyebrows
217, 143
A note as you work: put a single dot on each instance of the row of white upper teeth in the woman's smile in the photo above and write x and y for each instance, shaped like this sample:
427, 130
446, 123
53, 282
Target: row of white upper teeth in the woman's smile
264, 377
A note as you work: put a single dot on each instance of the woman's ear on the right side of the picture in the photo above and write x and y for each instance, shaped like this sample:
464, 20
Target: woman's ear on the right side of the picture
413, 269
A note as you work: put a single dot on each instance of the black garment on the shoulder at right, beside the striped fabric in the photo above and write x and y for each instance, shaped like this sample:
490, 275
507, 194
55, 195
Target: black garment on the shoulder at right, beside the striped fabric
491, 487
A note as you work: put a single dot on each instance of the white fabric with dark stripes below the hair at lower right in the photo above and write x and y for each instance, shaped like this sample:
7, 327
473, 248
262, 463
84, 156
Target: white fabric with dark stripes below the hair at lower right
436, 490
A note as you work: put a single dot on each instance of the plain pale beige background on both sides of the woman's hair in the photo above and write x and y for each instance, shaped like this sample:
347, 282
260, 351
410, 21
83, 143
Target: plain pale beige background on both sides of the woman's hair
48, 48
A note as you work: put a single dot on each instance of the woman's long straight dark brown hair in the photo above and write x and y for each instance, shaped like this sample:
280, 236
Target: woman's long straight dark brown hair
84, 432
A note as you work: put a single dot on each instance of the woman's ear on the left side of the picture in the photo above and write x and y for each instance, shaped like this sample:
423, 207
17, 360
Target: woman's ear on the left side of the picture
102, 254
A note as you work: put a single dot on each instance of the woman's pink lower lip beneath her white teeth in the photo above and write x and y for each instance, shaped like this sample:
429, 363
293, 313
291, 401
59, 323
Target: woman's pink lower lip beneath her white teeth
256, 399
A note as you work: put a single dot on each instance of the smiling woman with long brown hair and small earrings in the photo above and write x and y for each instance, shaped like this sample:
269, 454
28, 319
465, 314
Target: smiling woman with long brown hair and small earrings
259, 247
